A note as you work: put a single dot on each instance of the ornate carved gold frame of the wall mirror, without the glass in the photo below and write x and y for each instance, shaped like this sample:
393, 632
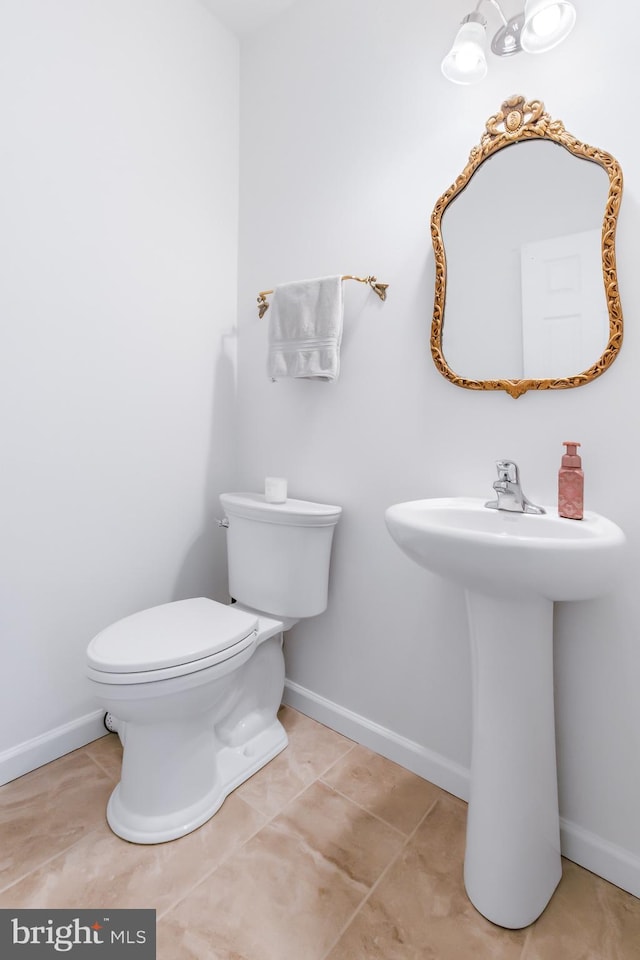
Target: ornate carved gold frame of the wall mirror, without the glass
519, 120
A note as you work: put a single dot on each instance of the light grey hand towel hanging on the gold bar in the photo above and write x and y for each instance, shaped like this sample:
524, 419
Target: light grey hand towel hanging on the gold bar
305, 329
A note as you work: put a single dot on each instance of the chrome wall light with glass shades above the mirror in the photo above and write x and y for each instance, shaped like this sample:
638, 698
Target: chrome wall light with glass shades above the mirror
540, 26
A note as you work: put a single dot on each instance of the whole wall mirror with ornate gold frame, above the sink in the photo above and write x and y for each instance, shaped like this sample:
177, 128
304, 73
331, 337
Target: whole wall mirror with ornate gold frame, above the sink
526, 293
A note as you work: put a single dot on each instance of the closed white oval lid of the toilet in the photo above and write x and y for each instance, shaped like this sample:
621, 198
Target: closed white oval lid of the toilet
172, 633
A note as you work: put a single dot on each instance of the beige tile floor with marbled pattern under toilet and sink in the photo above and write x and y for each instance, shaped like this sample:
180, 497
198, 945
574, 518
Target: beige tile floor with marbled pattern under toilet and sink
329, 853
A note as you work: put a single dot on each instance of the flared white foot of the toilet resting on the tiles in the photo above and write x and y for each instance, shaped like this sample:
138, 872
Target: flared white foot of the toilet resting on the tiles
234, 766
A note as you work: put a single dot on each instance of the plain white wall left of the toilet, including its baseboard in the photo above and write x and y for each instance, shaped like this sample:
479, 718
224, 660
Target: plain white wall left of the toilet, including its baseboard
118, 273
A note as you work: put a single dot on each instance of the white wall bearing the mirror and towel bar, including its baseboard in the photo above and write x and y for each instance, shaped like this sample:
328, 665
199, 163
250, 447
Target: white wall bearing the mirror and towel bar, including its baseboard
349, 135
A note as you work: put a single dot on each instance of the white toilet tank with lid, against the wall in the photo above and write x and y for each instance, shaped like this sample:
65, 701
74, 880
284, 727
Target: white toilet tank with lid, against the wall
278, 553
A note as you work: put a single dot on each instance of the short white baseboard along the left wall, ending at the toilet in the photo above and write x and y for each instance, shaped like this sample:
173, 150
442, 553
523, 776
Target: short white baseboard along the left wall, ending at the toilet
49, 746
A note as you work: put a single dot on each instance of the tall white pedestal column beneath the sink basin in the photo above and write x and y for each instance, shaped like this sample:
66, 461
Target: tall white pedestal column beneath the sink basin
512, 860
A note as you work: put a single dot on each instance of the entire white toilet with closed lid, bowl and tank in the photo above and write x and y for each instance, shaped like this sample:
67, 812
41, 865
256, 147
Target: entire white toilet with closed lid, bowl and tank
193, 687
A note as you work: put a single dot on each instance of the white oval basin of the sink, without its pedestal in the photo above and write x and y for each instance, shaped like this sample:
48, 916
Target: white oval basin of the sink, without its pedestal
509, 554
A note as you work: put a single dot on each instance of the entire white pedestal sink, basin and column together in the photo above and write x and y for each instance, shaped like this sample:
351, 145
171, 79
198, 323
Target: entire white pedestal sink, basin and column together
513, 566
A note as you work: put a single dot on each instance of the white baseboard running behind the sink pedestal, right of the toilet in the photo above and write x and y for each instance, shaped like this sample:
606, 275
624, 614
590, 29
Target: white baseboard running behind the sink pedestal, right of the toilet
587, 849
